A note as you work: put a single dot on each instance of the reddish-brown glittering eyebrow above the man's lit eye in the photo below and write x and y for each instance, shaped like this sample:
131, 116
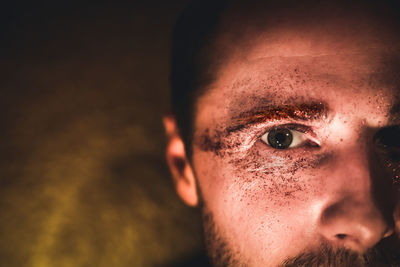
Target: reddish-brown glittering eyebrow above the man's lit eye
300, 112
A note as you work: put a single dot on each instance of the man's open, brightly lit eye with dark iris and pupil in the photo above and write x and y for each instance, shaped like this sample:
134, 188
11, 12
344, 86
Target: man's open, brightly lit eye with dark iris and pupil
283, 138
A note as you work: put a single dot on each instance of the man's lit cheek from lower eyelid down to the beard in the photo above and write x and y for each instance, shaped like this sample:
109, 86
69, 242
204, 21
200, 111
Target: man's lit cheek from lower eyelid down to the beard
261, 200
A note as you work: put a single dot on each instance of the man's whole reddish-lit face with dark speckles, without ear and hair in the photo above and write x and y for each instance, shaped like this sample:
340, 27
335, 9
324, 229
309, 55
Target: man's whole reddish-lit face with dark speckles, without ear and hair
296, 143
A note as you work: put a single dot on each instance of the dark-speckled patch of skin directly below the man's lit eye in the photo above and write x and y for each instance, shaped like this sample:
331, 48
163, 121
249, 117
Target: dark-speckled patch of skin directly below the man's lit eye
279, 175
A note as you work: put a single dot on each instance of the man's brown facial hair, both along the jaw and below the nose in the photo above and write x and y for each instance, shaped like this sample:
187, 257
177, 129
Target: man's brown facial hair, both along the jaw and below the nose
221, 253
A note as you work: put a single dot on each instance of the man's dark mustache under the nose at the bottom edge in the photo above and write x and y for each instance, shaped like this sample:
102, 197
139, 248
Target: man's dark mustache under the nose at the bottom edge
329, 257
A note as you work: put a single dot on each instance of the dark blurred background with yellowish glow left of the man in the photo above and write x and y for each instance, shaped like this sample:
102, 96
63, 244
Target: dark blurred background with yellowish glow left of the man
83, 180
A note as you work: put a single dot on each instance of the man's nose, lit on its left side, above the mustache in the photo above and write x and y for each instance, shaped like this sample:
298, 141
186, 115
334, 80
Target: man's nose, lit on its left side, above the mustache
350, 217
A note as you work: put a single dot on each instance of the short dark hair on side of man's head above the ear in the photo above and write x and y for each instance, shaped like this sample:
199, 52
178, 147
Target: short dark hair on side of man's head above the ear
193, 35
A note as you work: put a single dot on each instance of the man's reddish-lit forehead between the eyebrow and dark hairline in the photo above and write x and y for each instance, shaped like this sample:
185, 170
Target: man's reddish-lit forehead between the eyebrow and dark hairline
292, 60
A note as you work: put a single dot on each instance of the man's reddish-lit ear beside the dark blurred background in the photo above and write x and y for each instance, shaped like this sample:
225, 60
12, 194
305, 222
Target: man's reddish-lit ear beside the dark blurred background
182, 172
